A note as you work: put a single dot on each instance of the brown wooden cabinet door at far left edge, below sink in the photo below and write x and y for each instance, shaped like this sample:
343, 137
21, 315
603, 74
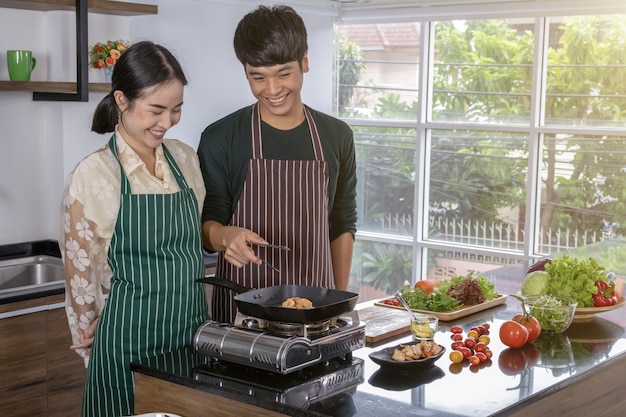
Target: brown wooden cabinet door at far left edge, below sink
23, 365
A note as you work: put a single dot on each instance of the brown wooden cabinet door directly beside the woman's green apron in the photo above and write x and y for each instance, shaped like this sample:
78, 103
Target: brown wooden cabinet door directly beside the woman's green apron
65, 369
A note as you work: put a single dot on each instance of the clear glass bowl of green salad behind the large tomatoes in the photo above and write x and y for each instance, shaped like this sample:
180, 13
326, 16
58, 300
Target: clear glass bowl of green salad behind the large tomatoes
555, 314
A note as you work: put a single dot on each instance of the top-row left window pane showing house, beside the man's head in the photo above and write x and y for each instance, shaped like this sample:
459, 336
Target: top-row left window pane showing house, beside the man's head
378, 71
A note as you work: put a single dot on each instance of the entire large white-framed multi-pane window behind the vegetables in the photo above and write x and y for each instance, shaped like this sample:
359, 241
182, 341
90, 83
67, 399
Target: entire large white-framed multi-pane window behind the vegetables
482, 142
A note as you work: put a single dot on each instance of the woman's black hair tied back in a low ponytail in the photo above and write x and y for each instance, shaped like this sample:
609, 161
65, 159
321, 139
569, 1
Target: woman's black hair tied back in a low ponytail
142, 65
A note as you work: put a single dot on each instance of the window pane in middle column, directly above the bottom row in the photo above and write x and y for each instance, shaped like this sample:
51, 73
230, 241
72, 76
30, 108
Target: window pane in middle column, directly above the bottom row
477, 188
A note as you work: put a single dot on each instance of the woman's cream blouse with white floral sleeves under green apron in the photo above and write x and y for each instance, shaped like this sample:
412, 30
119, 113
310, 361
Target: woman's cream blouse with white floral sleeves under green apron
89, 213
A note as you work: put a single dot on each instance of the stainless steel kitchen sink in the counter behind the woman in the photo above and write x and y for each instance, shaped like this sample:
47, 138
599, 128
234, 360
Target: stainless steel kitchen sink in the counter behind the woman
28, 274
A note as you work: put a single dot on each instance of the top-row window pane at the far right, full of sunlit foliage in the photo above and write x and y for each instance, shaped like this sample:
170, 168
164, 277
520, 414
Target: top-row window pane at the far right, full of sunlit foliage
586, 71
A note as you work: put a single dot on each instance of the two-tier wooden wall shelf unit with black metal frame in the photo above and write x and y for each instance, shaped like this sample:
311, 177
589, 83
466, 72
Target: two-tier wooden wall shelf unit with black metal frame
72, 91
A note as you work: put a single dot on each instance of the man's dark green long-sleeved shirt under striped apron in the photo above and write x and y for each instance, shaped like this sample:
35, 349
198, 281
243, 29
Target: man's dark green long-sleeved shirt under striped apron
226, 148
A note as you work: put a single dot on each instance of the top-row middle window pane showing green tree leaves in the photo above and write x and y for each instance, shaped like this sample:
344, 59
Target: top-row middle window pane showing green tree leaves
482, 71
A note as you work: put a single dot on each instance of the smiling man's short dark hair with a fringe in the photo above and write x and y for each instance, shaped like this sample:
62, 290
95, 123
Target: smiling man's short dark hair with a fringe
270, 36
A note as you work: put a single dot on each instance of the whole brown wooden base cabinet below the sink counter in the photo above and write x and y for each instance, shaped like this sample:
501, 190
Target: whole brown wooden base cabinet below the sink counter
40, 375
